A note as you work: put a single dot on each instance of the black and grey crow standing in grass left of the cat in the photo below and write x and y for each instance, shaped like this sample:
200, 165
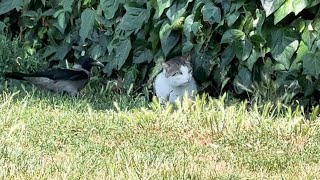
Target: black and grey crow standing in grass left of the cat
61, 80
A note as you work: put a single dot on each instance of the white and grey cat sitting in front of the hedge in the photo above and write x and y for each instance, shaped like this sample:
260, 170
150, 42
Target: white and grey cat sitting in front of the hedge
175, 80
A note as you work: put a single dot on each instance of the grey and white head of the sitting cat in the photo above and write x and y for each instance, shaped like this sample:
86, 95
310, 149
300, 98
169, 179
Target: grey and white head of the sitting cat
178, 70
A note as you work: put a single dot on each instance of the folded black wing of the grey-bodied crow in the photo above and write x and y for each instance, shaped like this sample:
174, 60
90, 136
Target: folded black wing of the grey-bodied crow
62, 74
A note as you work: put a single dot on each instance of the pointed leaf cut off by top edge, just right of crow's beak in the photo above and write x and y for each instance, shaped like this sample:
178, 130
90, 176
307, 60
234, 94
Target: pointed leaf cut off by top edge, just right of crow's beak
110, 7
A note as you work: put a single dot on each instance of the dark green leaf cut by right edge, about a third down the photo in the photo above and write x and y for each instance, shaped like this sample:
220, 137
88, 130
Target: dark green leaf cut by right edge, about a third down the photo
311, 64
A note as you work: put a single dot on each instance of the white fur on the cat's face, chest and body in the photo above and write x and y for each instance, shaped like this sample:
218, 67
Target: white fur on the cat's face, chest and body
175, 87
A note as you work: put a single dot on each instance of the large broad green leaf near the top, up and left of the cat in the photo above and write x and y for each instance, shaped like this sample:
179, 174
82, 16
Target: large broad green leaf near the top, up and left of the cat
133, 19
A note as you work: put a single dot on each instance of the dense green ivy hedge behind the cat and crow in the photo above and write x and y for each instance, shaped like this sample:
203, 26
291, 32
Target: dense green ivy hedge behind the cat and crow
241, 46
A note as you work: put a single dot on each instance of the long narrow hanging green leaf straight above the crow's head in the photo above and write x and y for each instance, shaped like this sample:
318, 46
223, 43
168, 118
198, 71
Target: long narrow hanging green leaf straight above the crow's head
87, 22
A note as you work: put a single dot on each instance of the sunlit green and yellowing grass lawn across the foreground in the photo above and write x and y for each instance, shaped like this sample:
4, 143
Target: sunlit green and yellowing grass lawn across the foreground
106, 136
